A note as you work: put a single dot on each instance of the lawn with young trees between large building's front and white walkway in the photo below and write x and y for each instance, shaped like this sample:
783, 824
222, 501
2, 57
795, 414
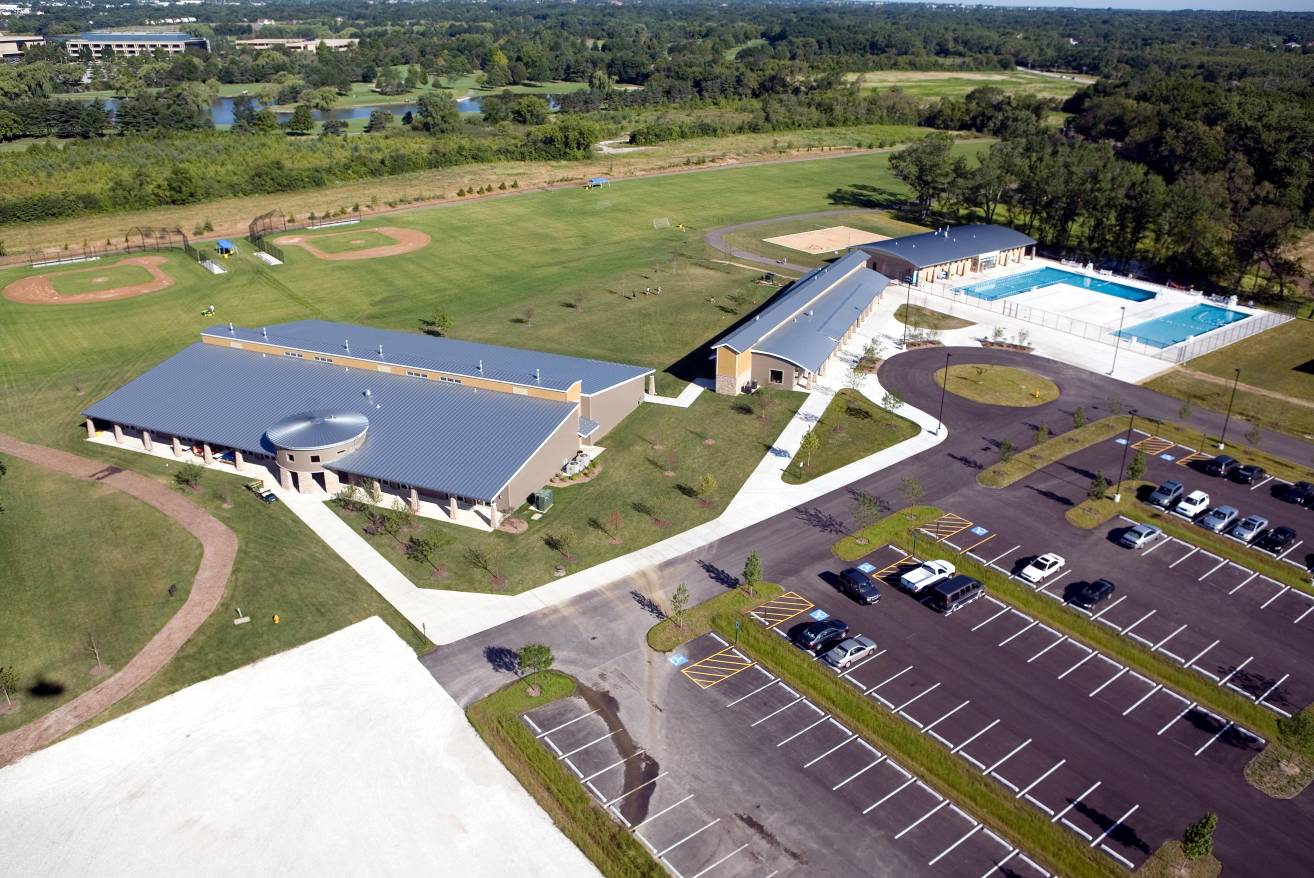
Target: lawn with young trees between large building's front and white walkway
629, 505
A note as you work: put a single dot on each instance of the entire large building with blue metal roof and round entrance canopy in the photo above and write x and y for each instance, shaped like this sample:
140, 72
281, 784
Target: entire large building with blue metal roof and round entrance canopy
457, 425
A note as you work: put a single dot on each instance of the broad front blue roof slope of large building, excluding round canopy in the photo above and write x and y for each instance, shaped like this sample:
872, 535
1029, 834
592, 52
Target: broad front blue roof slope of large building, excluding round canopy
438, 437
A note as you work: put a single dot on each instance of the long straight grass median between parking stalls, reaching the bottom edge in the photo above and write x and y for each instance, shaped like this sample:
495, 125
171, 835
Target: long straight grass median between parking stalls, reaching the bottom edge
1023, 826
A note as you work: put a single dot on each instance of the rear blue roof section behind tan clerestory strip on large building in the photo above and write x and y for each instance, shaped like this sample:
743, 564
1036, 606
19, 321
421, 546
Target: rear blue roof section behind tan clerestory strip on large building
412, 350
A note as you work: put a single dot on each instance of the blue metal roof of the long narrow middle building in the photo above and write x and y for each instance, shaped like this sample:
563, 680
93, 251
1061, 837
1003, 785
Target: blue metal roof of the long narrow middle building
806, 323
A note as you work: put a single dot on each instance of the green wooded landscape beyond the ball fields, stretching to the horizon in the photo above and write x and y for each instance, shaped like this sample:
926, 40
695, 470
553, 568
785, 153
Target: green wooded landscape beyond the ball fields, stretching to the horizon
1191, 153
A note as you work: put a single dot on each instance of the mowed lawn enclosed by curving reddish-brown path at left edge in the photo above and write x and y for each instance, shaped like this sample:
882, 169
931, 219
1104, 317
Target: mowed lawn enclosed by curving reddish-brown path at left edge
61, 588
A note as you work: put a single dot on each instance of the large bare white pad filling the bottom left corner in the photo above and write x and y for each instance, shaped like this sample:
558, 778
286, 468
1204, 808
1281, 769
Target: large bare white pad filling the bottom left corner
341, 758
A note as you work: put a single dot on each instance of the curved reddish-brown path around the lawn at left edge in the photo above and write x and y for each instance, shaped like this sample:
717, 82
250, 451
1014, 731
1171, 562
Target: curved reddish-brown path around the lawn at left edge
220, 547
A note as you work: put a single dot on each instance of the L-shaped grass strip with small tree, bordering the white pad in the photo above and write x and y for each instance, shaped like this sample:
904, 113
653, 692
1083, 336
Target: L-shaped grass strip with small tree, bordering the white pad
606, 843
